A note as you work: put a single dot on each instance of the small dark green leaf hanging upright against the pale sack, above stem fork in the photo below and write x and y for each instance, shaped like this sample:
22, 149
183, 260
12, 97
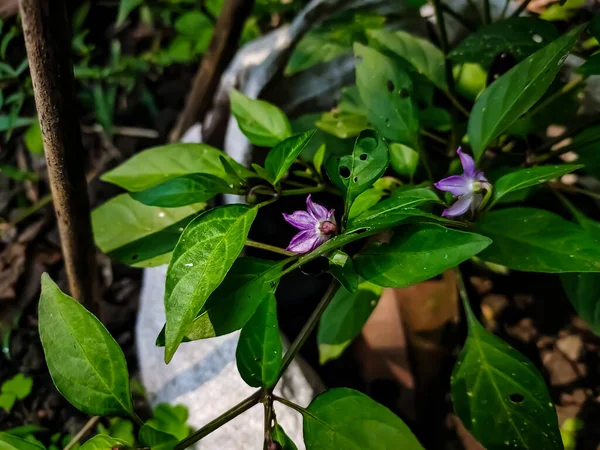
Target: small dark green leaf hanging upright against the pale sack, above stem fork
258, 353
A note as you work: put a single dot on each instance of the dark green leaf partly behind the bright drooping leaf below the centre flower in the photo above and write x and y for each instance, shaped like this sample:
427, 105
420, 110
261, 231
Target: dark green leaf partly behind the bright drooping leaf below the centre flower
232, 304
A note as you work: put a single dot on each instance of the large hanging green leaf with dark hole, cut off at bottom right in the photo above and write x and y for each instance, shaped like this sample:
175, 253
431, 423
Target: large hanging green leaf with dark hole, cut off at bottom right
500, 396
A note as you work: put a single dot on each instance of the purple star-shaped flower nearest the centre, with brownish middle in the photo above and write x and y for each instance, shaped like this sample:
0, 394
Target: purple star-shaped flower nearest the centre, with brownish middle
316, 226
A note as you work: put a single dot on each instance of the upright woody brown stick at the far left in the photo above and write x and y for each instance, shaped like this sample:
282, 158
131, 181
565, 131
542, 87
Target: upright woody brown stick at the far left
48, 41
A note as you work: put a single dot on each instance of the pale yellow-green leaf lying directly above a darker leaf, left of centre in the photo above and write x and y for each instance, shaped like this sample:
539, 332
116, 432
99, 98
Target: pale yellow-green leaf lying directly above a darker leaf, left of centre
159, 164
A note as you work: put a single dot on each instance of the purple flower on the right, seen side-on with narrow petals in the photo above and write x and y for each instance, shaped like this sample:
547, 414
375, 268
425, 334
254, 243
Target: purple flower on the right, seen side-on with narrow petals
467, 187
